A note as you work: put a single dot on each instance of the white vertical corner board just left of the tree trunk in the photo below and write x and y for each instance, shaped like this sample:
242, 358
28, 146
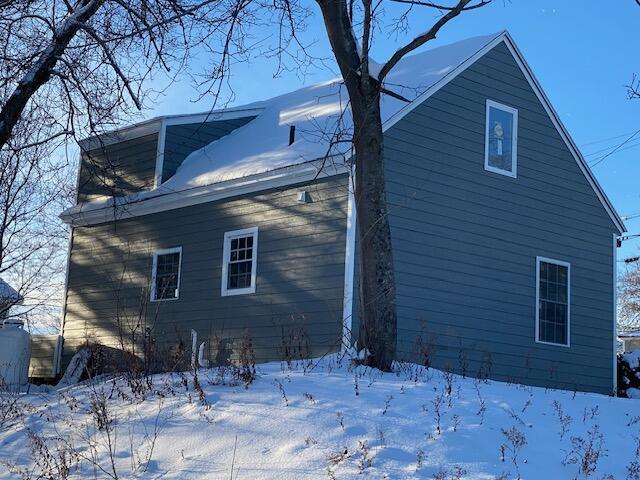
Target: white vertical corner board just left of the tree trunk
349, 265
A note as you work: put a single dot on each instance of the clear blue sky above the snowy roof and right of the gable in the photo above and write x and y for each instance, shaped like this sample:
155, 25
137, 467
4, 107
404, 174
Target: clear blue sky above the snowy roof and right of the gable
582, 52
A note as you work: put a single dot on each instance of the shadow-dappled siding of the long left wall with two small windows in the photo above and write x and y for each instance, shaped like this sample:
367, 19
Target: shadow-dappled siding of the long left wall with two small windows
300, 274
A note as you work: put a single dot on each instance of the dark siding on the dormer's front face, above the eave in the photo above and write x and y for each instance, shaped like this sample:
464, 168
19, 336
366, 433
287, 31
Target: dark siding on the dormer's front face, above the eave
118, 169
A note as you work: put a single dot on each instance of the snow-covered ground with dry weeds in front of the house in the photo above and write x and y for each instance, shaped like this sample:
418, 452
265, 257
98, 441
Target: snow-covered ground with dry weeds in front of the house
321, 420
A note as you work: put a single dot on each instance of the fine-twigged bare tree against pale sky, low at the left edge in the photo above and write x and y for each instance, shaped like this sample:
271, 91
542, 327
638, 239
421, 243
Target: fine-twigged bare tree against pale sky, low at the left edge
34, 186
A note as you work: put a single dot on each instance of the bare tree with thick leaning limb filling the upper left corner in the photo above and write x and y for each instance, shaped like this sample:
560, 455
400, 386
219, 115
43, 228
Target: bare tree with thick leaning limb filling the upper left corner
69, 69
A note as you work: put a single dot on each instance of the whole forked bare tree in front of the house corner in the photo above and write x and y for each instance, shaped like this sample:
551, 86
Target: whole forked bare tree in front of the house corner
350, 27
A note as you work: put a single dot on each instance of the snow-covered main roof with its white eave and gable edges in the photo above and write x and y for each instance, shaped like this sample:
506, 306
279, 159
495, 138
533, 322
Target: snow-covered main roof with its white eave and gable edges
317, 112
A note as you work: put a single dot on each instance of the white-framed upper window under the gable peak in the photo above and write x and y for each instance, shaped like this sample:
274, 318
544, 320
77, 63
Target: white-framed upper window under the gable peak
501, 135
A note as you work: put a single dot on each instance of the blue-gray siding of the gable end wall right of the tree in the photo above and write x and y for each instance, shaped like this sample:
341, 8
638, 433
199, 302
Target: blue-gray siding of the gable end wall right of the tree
465, 240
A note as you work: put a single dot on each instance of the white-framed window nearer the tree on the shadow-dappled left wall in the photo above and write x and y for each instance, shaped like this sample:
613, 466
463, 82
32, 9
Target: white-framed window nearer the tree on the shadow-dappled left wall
239, 261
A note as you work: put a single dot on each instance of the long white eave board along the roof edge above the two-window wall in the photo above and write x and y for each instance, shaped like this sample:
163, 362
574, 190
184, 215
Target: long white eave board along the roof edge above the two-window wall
92, 213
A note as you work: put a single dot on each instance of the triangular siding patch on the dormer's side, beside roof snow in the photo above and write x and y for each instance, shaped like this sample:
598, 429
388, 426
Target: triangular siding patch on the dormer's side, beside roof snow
181, 140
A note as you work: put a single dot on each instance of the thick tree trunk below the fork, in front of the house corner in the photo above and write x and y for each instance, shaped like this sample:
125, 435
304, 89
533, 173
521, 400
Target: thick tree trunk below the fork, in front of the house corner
377, 274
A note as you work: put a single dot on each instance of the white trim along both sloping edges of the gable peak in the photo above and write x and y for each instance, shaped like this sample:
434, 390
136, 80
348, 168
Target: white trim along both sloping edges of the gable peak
542, 97
